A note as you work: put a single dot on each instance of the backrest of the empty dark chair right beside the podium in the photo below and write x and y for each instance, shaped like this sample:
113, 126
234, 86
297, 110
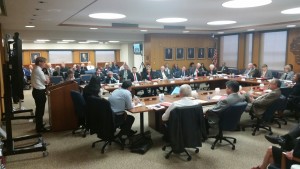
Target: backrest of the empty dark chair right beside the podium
79, 103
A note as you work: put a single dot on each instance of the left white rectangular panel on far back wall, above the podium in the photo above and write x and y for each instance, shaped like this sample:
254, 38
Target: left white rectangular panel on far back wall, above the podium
60, 57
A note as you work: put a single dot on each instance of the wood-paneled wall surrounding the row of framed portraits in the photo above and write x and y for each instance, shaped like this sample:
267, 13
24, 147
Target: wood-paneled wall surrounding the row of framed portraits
155, 45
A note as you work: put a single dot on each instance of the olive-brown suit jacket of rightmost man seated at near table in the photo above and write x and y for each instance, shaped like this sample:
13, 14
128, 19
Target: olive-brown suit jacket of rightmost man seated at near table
261, 104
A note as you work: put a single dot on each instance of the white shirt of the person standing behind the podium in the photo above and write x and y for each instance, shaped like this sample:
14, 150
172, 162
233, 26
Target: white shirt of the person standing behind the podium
38, 78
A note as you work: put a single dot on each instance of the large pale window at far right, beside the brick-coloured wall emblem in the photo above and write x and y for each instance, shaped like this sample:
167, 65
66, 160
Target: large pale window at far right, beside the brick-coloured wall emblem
273, 49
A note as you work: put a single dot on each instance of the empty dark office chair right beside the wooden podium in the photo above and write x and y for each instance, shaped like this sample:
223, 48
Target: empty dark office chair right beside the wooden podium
80, 110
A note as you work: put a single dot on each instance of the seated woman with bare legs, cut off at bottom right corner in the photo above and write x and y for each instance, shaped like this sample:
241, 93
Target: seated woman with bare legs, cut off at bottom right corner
273, 156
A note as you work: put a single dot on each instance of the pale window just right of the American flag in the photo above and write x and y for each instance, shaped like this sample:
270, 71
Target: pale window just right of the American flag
229, 50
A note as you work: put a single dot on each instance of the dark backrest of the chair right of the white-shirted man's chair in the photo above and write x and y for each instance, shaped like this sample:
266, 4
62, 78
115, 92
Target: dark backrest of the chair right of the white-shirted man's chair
230, 117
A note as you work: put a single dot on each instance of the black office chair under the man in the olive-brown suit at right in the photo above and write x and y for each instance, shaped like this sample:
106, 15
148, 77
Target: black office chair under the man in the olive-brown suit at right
267, 117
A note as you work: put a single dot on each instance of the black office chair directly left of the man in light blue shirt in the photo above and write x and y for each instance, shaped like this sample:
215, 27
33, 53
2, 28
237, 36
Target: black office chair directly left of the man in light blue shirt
100, 121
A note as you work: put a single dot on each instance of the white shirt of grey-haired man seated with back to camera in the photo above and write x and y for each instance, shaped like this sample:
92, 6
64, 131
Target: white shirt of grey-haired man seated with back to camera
185, 101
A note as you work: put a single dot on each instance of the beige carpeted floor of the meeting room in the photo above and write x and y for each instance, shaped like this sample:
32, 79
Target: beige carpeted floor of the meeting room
74, 152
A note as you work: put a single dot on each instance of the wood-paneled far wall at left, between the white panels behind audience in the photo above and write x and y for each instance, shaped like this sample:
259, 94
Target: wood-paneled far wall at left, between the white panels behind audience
76, 55
